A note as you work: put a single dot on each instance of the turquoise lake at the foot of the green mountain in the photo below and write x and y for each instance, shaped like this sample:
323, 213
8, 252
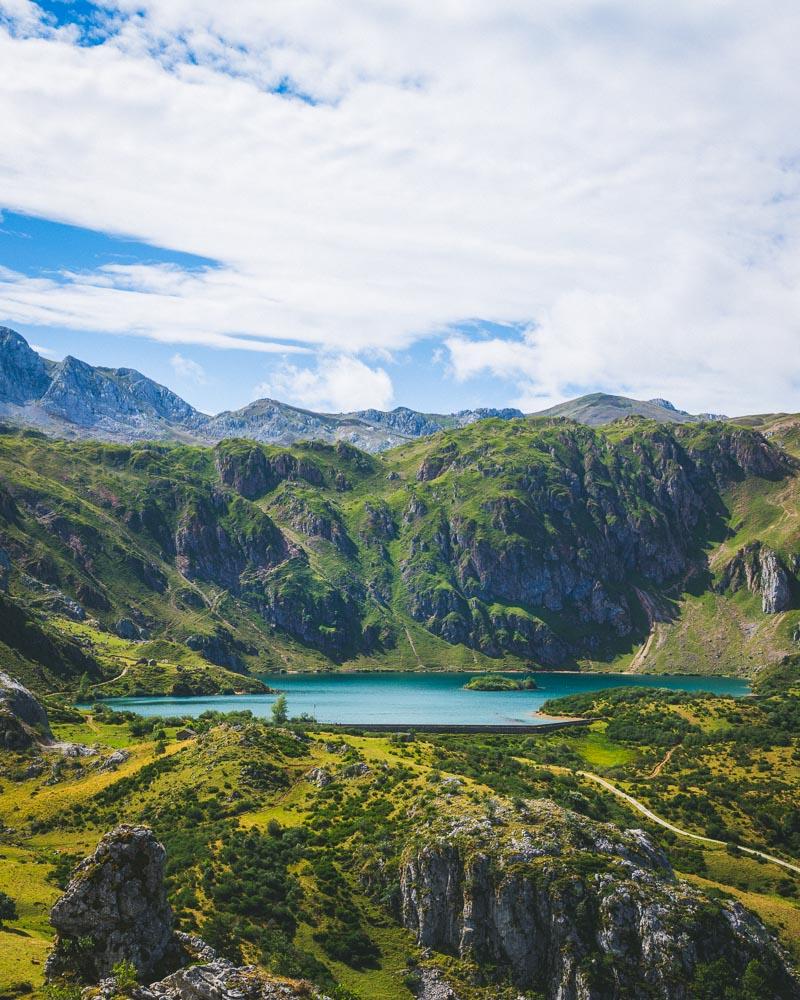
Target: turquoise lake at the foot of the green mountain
405, 698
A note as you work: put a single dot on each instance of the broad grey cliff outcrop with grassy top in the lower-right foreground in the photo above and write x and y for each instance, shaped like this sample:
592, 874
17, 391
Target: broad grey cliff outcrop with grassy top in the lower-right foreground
575, 909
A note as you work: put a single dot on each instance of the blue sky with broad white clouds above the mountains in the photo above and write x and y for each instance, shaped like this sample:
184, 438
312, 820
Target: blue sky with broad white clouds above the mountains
393, 202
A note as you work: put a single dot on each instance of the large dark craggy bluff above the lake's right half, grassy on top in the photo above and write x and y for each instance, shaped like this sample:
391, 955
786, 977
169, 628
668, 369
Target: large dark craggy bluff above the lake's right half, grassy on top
566, 520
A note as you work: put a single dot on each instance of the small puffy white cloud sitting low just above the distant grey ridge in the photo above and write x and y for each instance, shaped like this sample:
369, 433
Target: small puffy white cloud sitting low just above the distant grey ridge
338, 384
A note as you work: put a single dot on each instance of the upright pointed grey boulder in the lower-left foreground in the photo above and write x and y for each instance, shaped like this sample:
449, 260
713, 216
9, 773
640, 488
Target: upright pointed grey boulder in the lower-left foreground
115, 908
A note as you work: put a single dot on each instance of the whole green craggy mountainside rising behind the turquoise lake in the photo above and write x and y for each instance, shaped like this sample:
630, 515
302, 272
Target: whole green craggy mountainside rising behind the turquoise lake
527, 541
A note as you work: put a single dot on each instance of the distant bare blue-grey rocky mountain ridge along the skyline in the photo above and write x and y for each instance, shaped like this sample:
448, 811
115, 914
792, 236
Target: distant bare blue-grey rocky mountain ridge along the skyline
73, 399
